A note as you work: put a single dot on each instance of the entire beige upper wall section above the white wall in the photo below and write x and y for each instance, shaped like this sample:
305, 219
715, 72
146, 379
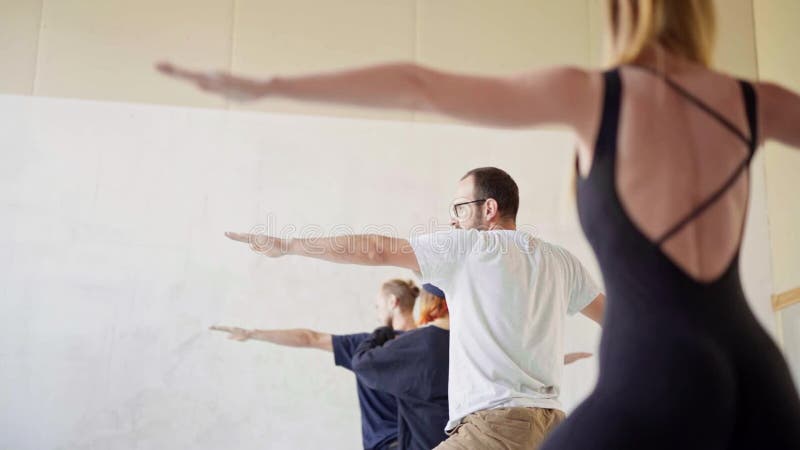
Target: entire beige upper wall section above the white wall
104, 49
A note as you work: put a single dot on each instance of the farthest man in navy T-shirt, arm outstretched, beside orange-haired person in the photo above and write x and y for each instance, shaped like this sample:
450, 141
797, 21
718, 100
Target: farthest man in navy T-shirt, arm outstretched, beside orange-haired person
394, 305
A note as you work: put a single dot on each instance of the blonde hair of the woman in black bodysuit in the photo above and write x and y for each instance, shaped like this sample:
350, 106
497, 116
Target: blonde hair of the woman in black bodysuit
684, 28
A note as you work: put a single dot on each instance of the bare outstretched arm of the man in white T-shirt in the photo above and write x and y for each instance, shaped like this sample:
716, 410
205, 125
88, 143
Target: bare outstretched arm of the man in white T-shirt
365, 249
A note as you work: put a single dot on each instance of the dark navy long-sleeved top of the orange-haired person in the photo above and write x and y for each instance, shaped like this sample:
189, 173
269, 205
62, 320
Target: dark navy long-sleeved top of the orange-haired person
413, 367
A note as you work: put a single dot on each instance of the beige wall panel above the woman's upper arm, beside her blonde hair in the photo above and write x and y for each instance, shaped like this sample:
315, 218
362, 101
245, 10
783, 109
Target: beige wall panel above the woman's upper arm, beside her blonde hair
501, 38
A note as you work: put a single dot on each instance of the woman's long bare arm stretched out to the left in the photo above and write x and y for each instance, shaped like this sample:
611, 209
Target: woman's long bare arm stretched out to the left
559, 95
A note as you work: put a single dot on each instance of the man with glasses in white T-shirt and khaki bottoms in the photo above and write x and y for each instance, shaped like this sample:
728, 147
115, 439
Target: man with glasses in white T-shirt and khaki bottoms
508, 294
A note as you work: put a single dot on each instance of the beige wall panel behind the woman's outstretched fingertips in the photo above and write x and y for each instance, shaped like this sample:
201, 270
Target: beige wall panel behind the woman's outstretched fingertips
105, 49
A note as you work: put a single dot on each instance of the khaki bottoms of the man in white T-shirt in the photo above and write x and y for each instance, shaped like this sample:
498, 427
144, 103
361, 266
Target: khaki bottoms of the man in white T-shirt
503, 429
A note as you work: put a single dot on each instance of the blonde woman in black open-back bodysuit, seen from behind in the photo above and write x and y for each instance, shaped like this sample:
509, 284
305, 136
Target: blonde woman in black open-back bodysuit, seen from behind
663, 147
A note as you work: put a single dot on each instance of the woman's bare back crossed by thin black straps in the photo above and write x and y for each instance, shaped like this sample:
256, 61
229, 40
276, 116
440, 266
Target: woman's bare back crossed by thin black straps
672, 156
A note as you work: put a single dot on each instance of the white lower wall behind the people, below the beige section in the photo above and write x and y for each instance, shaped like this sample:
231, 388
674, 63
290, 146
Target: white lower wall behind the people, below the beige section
114, 264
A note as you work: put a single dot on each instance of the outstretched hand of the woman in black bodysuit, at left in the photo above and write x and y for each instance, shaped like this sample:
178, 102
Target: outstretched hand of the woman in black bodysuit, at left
228, 86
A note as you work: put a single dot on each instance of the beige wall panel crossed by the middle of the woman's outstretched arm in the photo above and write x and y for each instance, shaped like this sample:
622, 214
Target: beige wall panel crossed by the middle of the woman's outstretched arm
278, 36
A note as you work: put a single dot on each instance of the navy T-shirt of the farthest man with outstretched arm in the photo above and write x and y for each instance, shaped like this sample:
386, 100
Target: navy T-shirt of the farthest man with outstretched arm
378, 409
